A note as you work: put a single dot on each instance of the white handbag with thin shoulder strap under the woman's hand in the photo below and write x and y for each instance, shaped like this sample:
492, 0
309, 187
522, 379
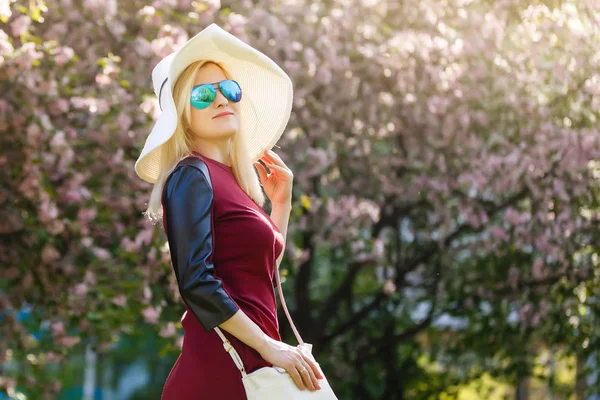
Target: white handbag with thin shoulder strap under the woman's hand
274, 383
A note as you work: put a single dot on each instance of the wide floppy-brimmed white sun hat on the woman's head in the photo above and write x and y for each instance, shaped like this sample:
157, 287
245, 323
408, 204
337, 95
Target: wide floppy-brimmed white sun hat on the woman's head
264, 110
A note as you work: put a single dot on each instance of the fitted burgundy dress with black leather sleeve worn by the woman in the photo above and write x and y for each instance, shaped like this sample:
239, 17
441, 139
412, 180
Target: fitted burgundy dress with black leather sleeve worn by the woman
223, 250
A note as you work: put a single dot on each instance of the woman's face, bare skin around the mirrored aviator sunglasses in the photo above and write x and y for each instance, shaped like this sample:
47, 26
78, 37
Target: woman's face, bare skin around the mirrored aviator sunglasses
203, 122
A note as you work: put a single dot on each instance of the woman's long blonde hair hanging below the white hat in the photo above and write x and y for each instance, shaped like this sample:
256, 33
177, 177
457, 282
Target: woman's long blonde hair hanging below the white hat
180, 146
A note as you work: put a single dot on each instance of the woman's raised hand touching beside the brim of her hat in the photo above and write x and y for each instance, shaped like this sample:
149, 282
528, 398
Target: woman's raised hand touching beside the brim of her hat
277, 184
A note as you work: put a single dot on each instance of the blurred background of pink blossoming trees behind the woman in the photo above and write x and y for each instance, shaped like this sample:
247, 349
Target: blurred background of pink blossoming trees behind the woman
444, 239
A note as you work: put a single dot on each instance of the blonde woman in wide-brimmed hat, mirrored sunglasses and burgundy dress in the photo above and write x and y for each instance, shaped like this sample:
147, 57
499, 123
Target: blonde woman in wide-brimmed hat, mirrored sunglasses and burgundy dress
221, 113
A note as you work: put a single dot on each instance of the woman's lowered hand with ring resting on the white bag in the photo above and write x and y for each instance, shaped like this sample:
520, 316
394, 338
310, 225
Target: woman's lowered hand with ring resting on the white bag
293, 360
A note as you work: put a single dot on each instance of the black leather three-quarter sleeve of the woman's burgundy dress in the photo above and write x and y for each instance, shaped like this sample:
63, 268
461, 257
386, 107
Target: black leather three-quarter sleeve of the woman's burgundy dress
187, 201
